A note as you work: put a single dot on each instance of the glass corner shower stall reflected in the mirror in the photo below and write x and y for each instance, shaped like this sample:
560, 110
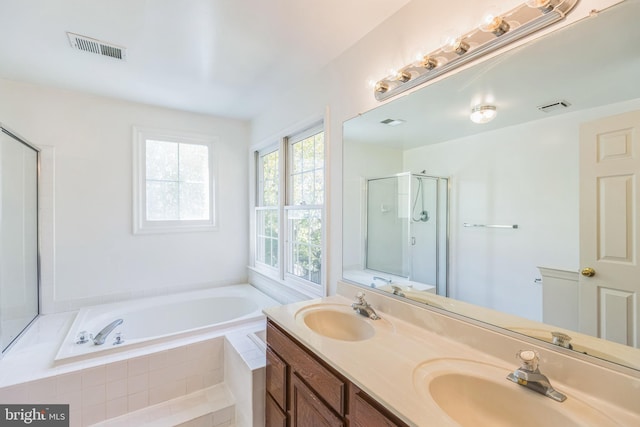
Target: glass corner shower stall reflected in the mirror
407, 228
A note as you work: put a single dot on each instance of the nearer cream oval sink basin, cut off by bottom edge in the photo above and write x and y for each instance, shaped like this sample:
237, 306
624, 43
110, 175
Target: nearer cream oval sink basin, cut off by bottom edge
477, 394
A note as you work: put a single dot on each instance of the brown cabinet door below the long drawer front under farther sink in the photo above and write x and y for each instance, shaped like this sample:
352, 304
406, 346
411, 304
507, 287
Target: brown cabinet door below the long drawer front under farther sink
307, 410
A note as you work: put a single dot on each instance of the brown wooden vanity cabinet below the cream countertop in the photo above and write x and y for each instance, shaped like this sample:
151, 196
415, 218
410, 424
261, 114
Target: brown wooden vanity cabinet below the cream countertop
302, 390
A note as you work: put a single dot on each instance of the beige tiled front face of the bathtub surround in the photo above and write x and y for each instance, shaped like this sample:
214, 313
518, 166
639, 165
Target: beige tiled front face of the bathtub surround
114, 389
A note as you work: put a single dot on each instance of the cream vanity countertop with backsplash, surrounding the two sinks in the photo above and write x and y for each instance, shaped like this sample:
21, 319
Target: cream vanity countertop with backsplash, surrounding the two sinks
385, 370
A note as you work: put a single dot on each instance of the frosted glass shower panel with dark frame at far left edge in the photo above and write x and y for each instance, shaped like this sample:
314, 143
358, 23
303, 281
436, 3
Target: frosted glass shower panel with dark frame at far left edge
19, 272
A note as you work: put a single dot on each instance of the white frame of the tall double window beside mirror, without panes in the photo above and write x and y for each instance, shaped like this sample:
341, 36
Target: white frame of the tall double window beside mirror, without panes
282, 144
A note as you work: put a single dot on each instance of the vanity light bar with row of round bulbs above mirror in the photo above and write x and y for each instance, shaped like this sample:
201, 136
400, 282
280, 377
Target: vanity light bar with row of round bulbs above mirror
515, 24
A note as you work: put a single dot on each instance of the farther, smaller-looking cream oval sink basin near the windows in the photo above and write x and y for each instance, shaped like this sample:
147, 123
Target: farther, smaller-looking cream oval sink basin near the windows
338, 325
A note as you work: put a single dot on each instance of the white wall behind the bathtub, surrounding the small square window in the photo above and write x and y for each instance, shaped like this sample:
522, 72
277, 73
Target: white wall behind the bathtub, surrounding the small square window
89, 253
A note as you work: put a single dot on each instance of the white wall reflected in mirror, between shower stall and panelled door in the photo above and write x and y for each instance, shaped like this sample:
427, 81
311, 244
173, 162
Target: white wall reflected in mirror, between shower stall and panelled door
525, 175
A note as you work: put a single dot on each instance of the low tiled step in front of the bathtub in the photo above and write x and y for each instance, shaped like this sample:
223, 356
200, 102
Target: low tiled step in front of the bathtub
211, 407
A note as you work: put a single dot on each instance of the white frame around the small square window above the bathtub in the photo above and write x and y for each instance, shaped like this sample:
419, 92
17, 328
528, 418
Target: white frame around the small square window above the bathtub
140, 223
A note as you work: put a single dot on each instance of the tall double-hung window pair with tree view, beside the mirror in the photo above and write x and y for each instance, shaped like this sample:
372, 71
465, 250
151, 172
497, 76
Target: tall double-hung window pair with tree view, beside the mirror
290, 209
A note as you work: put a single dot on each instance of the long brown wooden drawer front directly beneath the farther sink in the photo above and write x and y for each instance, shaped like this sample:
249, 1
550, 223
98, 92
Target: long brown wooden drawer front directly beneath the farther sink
324, 382
